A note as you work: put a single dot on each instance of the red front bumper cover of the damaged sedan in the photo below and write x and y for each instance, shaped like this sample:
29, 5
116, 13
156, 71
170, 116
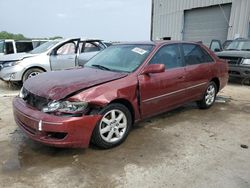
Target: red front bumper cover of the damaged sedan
54, 130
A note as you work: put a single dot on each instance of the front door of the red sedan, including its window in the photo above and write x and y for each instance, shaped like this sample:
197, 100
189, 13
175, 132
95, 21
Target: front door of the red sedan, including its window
162, 91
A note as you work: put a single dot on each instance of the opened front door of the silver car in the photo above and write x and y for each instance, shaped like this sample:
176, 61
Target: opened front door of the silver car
64, 56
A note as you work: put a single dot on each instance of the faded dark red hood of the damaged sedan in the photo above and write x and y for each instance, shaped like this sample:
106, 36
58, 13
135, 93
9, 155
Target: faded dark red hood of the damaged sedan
60, 84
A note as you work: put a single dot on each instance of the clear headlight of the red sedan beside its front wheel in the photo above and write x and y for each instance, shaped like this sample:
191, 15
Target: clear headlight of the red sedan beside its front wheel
65, 107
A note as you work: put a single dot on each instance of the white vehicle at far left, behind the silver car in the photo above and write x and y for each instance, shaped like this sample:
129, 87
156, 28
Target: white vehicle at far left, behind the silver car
9, 46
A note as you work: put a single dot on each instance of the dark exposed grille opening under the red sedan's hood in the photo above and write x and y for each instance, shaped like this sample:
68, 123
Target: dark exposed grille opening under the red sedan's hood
35, 101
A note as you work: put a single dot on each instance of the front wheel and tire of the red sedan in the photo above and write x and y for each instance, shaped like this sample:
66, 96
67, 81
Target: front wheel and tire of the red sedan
111, 131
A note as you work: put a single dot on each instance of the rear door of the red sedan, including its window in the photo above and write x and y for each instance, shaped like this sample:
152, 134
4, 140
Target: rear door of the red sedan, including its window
198, 69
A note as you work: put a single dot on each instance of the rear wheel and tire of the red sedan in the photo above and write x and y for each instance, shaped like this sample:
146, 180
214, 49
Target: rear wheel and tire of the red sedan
209, 96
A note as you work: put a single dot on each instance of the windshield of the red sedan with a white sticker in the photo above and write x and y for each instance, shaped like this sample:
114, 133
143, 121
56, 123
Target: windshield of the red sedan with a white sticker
121, 58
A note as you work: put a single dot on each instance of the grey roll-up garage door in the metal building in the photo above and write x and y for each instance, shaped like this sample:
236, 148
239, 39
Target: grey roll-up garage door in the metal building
205, 24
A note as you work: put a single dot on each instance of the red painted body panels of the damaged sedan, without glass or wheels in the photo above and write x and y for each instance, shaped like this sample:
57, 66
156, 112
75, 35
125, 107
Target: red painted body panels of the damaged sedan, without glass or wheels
157, 92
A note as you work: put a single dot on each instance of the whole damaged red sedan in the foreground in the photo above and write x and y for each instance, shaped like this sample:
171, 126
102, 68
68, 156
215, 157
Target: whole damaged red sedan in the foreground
121, 85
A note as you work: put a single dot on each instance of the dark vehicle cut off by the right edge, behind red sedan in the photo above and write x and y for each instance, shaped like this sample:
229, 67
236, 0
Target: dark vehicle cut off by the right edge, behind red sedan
237, 53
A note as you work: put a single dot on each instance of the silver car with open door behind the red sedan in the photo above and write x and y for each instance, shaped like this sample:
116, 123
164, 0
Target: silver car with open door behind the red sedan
54, 55
